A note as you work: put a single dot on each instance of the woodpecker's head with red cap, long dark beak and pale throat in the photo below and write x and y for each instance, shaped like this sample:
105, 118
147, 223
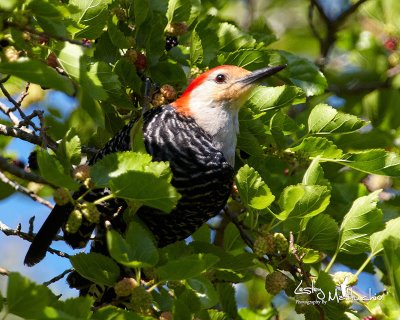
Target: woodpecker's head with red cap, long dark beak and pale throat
214, 98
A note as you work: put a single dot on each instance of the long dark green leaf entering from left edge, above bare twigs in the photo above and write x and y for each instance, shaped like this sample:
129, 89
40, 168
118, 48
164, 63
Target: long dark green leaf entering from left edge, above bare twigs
39, 73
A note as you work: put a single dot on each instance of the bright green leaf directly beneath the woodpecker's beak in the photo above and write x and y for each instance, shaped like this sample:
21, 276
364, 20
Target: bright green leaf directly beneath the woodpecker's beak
264, 99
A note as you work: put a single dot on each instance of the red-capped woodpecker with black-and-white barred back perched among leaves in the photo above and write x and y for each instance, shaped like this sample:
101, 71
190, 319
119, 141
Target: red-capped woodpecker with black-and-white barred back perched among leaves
197, 135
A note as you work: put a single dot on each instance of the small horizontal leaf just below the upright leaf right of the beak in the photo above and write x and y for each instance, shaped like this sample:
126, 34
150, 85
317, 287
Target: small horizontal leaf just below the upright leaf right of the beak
318, 146
